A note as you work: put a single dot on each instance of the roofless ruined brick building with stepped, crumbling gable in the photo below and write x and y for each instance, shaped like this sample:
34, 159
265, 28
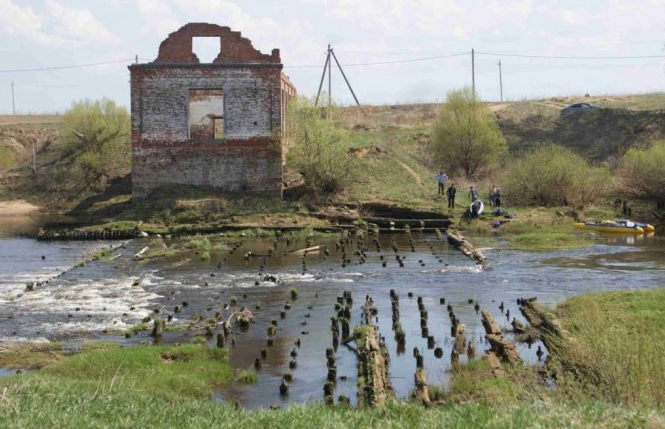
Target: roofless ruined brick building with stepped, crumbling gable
216, 124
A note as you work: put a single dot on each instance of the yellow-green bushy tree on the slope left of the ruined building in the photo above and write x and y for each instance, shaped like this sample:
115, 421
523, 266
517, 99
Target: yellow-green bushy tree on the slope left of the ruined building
96, 142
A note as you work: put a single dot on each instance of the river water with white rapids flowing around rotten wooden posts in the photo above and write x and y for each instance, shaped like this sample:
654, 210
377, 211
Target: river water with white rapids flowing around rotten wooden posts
102, 298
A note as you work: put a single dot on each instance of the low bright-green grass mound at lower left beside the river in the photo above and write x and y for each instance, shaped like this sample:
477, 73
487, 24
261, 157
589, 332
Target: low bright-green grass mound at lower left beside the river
168, 373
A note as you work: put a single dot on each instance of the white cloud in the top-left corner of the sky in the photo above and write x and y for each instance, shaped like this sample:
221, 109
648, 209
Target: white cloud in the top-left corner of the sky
55, 26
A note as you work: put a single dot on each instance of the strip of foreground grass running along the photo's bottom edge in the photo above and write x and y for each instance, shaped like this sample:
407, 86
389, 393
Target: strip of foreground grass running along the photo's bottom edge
42, 404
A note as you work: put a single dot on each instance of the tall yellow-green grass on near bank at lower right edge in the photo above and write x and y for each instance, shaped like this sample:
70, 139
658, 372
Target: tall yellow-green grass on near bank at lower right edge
617, 350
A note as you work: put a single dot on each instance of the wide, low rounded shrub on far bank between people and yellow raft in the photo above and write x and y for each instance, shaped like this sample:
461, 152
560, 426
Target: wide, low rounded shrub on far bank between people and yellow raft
552, 175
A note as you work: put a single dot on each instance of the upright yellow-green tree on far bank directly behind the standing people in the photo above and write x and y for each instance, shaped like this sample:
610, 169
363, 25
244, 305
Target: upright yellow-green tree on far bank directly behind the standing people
467, 138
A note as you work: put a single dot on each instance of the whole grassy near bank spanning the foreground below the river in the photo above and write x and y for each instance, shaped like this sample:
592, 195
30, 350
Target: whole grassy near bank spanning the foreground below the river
609, 375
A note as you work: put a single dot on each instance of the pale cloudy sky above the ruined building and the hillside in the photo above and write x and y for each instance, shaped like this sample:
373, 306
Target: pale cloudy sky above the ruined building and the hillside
51, 33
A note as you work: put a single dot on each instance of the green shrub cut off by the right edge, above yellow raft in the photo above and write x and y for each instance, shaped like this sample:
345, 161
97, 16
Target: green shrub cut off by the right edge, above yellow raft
643, 171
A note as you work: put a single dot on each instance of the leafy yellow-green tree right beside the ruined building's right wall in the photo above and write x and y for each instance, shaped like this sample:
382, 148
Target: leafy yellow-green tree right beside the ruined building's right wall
320, 147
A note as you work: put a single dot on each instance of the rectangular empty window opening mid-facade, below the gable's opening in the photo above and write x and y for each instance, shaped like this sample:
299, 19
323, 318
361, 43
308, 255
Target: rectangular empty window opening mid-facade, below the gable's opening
206, 114
